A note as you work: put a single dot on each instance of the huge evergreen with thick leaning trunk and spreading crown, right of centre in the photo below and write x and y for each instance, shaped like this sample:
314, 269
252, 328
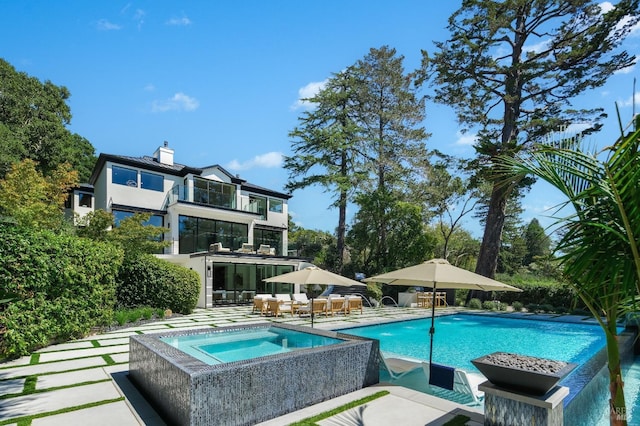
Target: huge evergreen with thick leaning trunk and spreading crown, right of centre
511, 69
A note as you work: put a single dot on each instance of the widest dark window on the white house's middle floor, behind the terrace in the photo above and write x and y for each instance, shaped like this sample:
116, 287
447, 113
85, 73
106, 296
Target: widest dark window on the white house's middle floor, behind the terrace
196, 234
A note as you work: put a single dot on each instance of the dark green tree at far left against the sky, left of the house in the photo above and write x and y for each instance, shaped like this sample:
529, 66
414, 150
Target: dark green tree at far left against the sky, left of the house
34, 116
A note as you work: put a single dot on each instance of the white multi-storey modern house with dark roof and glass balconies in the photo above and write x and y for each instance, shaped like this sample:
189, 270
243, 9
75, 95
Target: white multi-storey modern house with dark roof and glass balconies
232, 232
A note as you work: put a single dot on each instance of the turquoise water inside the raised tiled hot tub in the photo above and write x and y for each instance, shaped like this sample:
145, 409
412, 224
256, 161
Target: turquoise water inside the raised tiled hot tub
216, 348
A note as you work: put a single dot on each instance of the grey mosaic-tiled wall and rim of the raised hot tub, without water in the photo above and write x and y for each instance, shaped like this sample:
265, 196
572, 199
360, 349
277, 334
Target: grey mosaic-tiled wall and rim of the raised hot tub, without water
187, 391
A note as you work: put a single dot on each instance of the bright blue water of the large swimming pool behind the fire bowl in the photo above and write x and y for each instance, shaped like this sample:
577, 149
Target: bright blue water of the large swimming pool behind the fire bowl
460, 338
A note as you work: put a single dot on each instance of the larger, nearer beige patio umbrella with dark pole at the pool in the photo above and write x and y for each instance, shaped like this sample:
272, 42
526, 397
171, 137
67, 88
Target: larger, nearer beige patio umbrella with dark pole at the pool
441, 274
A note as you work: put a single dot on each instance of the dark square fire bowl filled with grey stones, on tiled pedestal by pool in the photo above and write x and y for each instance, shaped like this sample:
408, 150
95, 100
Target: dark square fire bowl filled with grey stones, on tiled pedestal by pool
522, 373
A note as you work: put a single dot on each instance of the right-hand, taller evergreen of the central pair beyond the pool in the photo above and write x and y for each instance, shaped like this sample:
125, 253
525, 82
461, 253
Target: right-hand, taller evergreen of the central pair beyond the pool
390, 114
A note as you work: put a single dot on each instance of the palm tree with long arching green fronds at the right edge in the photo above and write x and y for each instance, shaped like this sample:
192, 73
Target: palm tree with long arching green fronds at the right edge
599, 244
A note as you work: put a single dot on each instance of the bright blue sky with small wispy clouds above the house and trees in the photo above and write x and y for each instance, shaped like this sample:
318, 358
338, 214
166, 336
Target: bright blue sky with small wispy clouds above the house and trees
221, 81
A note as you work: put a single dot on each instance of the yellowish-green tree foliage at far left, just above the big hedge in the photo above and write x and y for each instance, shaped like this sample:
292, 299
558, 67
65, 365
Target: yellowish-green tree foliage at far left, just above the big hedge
33, 200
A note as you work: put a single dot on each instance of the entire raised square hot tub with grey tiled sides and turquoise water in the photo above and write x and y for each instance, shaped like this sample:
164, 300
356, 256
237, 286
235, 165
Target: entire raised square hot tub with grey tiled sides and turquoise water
243, 375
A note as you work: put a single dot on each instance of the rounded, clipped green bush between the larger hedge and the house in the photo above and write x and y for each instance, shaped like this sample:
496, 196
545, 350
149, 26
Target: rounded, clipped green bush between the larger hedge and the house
148, 281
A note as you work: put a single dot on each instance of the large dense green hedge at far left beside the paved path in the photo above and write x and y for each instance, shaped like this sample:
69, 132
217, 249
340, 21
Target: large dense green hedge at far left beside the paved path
58, 287
